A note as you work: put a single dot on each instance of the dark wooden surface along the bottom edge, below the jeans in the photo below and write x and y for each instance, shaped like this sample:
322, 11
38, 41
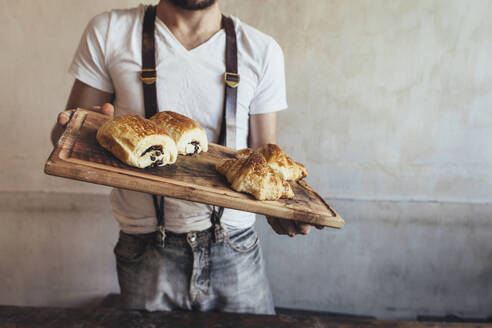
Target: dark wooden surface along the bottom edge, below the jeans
24, 317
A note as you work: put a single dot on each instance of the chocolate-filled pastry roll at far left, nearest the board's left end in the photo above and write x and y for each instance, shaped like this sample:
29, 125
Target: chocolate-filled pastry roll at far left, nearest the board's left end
137, 142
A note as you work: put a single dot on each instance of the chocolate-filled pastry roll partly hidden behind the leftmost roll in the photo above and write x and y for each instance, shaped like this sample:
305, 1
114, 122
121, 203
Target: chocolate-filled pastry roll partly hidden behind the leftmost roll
189, 136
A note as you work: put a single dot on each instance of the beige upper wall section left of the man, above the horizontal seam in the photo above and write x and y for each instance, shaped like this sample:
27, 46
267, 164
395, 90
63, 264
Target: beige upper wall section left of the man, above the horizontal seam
38, 40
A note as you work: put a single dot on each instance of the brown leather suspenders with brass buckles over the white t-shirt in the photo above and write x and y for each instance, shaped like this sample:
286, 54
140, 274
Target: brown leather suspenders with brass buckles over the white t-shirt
148, 76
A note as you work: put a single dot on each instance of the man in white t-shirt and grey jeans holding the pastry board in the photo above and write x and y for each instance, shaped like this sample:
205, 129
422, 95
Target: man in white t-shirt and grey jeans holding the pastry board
194, 270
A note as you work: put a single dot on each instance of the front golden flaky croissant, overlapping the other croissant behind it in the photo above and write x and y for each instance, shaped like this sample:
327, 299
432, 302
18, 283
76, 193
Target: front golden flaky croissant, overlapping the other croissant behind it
252, 175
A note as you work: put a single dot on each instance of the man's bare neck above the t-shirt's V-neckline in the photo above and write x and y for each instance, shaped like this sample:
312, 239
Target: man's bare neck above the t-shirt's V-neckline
190, 27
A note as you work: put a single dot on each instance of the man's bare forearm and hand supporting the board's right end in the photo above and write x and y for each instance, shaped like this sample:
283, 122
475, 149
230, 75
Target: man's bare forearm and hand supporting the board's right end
263, 130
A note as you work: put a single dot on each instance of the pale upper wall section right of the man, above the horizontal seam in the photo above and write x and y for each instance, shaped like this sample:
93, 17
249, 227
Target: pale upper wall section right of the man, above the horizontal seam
388, 99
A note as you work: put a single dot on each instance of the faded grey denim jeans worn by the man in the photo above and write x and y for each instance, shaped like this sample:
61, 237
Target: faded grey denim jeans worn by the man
194, 271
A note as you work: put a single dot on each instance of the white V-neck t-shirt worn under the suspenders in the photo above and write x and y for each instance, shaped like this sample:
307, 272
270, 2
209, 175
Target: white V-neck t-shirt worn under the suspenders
188, 82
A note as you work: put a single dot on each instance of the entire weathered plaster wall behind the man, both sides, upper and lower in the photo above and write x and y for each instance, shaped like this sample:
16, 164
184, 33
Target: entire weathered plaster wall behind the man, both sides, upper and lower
390, 109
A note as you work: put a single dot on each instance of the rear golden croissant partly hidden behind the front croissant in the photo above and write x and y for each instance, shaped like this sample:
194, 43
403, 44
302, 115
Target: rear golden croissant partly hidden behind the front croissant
282, 164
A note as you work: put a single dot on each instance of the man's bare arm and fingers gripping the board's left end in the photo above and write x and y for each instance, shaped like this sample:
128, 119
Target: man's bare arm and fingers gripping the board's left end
84, 96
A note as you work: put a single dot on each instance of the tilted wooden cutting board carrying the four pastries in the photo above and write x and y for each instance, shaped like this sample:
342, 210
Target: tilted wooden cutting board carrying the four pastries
79, 156
